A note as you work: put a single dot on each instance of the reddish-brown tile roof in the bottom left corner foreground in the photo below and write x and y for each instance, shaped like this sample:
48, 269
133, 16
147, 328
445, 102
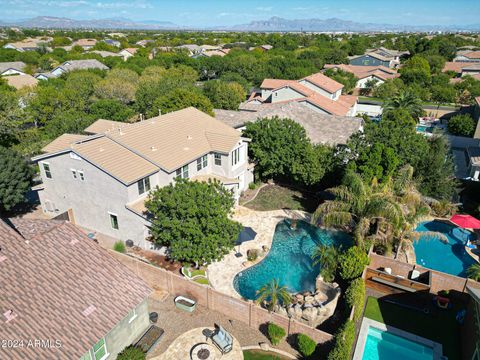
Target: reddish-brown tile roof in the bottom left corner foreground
60, 286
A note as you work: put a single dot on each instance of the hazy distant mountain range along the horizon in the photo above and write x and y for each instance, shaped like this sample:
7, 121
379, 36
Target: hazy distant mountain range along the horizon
272, 24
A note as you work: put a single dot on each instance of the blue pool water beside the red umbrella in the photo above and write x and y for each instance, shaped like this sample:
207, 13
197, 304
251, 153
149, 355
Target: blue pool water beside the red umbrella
449, 258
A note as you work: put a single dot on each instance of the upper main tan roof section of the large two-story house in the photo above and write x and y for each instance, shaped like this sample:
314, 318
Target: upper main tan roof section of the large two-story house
177, 138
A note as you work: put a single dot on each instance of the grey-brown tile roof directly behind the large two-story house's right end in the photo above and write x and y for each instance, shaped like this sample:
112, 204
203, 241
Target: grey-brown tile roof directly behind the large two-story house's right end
320, 128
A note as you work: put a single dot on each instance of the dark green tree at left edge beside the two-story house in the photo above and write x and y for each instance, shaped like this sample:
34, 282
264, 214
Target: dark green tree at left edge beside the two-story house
16, 178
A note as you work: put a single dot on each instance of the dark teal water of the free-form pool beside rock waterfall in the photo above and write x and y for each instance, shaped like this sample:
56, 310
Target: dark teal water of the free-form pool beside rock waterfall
289, 260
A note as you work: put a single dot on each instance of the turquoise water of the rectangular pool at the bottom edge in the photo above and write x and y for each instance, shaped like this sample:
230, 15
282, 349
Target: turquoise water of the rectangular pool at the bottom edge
382, 344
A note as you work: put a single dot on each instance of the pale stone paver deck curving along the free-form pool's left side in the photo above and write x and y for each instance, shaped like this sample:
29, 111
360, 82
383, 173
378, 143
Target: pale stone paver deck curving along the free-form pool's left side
222, 273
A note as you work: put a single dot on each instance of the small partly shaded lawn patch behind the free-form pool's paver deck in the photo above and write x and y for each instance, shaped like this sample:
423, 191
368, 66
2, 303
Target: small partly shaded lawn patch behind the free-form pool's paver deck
274, 197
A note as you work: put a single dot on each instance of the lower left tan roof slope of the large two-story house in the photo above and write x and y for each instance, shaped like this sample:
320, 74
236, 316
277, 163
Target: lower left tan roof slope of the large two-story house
115, 159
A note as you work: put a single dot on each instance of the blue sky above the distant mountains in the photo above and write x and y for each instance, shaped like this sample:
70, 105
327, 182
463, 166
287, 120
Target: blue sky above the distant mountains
228, 12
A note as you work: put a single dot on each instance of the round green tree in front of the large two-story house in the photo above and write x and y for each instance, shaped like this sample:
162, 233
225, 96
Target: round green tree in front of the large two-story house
193, 219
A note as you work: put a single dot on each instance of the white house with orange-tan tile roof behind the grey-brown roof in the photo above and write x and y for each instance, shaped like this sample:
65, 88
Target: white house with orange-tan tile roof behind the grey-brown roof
317, 92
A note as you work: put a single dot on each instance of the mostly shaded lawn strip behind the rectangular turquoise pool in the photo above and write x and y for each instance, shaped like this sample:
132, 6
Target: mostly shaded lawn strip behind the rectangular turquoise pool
439, 326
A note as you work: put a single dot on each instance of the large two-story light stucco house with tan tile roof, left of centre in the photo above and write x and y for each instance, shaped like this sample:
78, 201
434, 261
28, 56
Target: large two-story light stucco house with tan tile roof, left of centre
105, 177
